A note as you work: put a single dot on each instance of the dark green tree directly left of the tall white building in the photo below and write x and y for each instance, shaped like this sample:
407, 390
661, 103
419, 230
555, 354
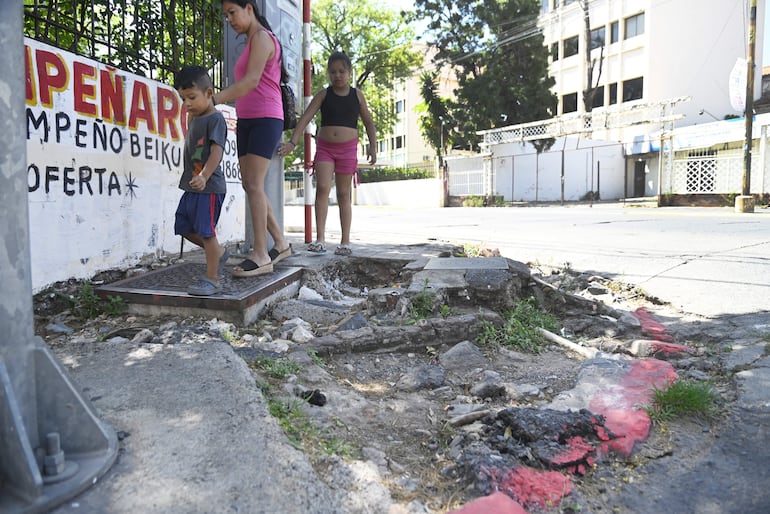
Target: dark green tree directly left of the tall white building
501, 63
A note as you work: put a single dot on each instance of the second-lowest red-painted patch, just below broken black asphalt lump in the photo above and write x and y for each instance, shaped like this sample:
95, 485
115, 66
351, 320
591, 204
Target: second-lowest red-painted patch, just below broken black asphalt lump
531, 487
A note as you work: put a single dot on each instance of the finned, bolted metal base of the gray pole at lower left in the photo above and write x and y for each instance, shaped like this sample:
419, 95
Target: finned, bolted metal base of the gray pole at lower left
75, 448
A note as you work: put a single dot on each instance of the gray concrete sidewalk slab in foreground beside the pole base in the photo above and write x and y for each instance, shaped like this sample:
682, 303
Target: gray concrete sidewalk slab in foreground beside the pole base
196, 435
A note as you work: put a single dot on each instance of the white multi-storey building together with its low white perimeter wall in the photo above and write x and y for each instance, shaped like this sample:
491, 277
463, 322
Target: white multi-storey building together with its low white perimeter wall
658, 67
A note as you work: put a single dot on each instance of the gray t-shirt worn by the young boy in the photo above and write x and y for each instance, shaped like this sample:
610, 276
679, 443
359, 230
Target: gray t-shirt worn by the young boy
201, 132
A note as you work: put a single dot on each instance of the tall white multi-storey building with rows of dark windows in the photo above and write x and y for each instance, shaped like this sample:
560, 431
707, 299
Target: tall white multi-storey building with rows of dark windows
649, 52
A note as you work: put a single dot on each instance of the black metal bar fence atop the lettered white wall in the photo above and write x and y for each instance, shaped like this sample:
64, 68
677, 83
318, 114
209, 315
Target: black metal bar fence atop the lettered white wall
147, 37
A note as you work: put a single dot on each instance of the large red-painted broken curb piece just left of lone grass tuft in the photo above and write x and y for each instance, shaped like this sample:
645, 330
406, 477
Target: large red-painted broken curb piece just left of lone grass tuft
621, 404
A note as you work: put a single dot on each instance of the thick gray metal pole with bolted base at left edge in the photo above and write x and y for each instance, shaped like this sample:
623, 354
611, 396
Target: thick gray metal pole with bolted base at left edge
52, 446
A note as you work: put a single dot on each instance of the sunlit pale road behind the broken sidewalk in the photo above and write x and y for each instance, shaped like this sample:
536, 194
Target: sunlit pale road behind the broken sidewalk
706, 261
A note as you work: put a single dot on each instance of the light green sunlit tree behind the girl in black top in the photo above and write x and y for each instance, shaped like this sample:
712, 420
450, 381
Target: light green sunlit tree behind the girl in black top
376, 38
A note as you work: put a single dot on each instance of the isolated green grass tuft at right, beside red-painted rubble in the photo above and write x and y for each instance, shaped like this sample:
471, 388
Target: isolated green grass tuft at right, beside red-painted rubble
682, 398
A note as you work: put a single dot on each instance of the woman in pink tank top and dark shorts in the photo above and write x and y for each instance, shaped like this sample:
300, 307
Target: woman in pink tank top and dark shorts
257, 94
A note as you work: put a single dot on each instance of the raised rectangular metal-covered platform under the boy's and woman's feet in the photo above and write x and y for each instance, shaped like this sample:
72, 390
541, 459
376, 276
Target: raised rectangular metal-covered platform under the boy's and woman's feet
242, 301
